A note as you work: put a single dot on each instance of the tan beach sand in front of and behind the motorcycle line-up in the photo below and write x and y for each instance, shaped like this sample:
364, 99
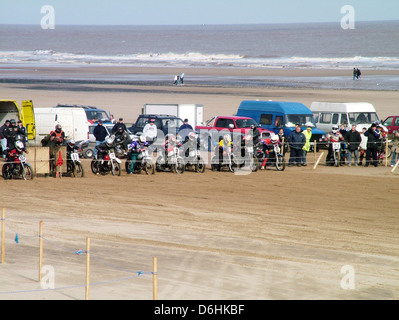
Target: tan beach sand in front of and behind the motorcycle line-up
267, 235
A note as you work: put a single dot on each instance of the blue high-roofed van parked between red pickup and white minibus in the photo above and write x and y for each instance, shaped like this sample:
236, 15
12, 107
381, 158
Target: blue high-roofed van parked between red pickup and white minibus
273, 115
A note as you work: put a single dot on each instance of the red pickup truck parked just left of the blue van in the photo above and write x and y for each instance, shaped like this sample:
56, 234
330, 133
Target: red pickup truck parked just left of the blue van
216, 127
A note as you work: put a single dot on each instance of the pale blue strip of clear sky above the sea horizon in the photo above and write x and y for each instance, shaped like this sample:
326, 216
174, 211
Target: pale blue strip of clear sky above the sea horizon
197, 12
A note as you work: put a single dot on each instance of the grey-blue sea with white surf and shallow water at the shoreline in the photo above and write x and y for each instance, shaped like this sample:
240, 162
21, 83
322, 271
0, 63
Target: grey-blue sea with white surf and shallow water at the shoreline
370, 45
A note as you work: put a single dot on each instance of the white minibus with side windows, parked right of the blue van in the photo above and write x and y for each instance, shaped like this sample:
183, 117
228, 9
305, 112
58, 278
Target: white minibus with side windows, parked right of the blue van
327, 114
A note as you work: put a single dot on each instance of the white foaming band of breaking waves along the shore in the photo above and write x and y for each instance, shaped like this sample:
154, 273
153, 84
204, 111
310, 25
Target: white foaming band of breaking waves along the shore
196, 59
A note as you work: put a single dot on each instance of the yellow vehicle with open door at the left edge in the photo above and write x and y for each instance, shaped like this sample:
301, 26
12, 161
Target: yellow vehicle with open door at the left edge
9, 109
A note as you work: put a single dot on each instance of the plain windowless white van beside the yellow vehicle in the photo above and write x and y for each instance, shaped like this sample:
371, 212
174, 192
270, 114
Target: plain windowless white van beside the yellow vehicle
73, 121
